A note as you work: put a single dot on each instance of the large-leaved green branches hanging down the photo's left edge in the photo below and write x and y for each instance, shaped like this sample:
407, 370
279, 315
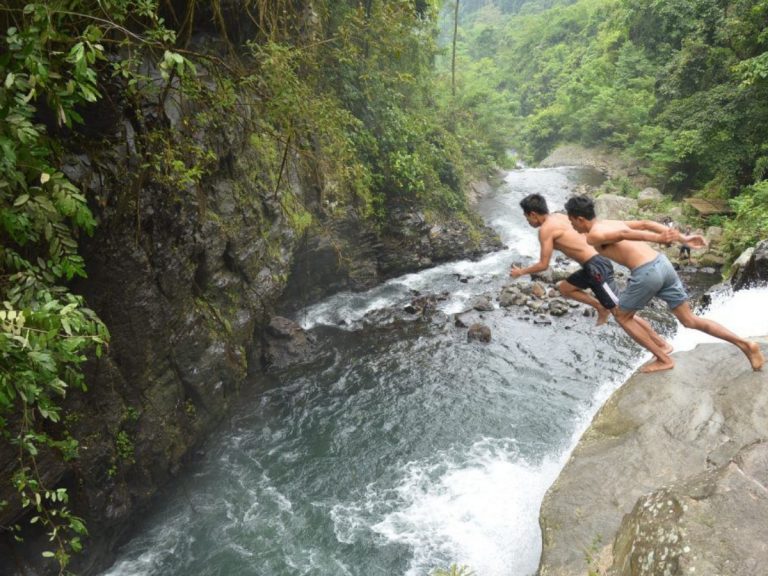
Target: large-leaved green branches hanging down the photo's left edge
45, 331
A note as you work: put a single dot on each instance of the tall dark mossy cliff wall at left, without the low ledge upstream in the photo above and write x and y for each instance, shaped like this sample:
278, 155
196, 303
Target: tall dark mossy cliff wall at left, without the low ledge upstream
185, 281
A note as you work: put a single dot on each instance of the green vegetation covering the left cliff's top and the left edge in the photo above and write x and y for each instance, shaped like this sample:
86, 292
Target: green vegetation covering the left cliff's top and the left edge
347, 87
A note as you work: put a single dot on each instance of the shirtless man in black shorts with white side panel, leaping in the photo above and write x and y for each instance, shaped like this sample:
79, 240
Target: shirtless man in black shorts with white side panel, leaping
556, 233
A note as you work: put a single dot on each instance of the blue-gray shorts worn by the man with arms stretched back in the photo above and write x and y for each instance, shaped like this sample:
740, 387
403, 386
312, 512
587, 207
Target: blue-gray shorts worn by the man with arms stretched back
655, 278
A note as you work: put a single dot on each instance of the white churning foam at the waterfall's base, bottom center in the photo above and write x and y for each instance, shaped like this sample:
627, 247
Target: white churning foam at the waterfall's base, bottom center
479, 509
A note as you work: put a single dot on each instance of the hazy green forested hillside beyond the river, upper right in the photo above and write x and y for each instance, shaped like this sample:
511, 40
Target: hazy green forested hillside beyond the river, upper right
680, 85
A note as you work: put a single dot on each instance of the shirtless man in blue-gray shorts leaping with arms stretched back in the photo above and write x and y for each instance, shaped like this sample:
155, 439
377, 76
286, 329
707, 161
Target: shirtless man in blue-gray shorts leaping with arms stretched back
652, 275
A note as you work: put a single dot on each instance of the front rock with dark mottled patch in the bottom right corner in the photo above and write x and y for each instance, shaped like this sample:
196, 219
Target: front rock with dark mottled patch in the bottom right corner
713, 523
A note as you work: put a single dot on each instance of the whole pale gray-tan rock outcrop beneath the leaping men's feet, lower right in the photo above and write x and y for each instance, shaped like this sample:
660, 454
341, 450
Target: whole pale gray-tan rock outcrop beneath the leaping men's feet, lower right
670, 478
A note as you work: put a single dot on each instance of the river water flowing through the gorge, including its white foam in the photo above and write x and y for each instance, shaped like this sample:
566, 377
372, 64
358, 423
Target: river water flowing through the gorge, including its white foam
404, 448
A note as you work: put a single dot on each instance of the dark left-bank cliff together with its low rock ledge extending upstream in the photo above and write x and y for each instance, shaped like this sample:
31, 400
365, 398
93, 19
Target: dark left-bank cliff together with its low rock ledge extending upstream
187, 283
